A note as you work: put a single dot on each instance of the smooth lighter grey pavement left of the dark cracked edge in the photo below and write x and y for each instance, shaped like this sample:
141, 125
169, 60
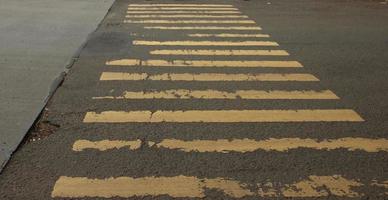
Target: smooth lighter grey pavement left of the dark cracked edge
38, 41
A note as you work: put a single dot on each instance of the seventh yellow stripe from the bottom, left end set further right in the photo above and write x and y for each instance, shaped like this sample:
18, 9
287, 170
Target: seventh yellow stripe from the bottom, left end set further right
203, 52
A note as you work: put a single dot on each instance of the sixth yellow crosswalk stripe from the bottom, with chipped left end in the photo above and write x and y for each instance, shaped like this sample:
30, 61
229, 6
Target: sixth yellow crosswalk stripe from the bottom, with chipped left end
202, 63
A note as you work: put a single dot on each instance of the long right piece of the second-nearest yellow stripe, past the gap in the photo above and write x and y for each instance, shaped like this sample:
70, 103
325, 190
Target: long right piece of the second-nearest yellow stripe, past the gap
273, 144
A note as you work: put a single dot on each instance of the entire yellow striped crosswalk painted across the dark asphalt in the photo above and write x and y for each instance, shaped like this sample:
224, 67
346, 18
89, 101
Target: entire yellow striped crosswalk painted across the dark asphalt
211, 37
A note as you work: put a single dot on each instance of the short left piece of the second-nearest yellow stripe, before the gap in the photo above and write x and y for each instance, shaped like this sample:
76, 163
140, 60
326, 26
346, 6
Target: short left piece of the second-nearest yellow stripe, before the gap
104, 145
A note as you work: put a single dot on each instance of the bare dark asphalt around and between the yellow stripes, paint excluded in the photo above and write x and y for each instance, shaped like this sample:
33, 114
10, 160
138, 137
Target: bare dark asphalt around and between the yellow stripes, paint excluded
343, 43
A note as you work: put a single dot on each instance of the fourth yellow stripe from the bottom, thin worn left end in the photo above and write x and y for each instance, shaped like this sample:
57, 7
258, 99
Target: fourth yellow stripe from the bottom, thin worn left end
215, 94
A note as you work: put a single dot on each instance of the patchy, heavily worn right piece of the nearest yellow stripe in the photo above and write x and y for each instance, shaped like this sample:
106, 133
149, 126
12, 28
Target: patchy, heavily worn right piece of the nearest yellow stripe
320, 186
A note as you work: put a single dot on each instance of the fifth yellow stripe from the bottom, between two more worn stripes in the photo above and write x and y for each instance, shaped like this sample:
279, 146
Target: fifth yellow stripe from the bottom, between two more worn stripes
121, 76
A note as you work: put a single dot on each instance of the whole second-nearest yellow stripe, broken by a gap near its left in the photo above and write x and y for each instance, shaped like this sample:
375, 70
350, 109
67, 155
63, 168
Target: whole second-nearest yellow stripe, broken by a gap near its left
242, 145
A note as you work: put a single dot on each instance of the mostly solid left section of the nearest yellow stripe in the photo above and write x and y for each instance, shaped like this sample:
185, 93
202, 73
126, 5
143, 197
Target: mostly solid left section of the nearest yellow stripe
179, 186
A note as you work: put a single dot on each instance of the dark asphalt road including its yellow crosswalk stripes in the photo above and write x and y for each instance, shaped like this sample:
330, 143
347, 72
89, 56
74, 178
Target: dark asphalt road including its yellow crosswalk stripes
308, 125
